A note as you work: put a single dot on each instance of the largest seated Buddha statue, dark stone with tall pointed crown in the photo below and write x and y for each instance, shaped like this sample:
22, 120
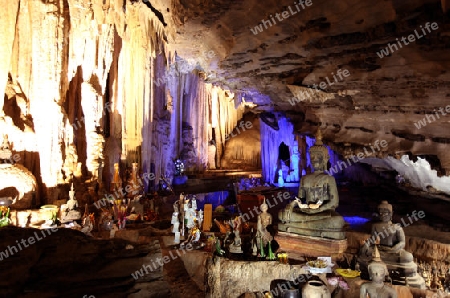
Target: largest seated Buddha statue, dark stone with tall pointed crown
316, 216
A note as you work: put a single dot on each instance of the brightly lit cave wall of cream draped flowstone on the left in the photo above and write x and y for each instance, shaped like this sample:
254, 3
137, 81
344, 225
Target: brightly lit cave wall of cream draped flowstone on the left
91, 83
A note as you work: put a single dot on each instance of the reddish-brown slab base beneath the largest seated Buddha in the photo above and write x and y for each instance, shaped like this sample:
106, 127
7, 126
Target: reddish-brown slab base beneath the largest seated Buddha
298, 246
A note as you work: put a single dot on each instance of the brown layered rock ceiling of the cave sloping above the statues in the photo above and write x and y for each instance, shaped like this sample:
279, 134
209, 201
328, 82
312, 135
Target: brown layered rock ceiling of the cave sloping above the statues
380, 98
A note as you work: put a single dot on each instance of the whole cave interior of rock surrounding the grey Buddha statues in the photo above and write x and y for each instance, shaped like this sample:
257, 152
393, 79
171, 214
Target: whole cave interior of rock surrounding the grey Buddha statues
116, 109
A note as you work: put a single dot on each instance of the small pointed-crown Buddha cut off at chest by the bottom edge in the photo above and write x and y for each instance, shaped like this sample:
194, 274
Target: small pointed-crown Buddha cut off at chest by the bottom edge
377, 288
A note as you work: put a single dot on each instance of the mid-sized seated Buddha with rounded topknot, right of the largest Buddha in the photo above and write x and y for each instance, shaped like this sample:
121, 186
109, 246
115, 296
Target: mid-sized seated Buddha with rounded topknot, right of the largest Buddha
391, 240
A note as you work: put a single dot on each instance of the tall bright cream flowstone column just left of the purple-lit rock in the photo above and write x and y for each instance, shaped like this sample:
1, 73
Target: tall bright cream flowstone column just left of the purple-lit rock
142, 40
